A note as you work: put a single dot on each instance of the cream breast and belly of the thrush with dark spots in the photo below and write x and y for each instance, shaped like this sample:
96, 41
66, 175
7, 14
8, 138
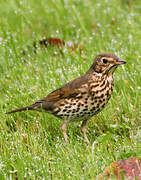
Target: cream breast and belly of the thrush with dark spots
92, 99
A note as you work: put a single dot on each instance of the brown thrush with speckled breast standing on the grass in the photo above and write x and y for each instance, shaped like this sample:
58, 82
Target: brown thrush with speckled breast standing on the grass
83, 97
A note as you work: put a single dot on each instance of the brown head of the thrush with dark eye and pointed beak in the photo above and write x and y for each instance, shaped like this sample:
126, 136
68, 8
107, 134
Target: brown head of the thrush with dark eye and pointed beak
106, 63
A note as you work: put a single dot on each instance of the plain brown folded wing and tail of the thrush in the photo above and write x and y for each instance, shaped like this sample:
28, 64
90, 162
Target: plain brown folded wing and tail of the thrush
69, 90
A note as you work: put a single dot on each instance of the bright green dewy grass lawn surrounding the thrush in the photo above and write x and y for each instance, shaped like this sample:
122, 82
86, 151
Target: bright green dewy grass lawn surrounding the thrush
31, 143
